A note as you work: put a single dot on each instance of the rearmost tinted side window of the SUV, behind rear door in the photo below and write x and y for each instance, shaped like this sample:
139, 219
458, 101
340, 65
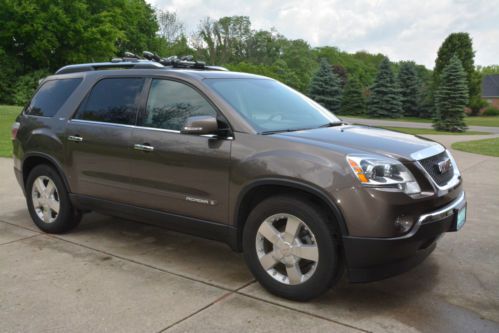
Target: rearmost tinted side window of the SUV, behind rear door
50, 97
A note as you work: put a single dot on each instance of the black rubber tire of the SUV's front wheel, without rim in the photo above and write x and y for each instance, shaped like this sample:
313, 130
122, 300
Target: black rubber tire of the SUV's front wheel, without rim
329, 266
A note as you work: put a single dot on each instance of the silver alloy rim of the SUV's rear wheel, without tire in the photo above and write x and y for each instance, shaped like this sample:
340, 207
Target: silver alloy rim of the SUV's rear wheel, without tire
45, 199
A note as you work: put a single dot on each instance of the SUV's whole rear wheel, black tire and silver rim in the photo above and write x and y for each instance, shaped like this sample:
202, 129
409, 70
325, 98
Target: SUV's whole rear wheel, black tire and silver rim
48, 201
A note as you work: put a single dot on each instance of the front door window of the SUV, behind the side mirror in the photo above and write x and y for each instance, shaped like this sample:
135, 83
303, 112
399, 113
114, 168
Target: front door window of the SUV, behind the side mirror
170, 103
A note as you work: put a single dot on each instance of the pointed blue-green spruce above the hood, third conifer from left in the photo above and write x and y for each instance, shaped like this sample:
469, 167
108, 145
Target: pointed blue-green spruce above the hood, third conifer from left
384, 100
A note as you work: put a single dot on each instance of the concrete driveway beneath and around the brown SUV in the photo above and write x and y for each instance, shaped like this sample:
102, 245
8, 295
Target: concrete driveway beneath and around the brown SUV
113, 275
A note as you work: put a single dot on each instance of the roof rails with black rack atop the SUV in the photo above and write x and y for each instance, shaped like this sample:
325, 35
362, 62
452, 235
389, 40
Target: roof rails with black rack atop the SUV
132, 61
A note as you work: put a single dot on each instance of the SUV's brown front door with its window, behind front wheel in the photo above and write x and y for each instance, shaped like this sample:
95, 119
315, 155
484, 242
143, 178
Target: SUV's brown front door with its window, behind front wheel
173, 172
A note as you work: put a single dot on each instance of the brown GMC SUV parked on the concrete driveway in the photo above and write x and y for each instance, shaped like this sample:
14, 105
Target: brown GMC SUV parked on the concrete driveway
238, 158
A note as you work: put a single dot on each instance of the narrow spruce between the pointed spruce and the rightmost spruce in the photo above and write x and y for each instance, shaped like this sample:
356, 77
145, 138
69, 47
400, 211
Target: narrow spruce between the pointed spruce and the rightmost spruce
409, 89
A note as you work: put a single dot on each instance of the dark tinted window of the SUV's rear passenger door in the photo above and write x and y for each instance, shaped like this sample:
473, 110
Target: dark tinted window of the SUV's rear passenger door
113, 101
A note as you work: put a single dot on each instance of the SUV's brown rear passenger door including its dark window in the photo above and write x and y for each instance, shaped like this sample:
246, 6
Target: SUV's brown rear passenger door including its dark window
99, 139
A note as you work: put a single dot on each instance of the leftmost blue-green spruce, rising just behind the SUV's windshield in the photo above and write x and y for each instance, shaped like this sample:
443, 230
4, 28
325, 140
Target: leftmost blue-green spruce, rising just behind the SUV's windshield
325, 87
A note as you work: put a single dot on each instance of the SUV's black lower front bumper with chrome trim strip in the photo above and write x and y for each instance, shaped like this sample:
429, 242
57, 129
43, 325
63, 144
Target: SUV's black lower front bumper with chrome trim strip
370, 259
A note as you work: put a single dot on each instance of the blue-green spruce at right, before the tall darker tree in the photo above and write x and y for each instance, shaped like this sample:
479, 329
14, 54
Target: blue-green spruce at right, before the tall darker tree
451, 98
